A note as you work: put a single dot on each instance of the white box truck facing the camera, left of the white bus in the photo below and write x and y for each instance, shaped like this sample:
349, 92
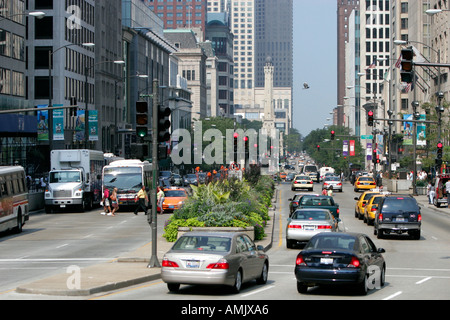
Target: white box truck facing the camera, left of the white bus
75, 179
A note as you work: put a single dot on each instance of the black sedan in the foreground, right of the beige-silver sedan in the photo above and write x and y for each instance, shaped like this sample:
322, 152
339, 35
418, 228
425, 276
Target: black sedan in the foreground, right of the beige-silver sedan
336, 258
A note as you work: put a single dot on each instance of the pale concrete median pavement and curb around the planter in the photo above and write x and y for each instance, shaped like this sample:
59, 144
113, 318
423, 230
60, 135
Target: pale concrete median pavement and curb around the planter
128, 270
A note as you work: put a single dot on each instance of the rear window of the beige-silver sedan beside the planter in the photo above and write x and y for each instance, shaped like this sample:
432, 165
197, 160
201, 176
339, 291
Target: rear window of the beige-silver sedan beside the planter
202, 243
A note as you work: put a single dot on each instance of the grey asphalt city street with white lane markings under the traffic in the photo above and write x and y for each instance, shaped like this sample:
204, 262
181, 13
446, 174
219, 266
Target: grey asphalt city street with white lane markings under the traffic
51, 243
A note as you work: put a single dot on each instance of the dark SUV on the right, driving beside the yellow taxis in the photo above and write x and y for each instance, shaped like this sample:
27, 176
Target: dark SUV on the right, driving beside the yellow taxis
398, 214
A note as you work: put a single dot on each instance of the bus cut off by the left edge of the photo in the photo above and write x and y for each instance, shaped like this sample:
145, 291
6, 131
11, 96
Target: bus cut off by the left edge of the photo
13, 198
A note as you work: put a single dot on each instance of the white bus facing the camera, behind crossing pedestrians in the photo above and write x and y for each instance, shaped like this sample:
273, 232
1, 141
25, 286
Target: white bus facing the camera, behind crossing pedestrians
128, 176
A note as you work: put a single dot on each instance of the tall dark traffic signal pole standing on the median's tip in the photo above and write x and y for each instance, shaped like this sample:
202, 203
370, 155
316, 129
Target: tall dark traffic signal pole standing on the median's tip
154, 263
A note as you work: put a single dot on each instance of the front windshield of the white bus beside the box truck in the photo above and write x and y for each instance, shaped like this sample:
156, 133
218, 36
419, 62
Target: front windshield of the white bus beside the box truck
124, 179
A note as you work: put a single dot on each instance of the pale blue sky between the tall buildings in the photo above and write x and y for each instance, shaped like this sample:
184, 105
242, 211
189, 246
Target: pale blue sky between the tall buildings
315, 62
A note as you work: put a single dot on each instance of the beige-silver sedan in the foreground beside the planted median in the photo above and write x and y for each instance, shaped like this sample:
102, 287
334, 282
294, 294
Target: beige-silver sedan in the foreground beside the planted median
214, 258
